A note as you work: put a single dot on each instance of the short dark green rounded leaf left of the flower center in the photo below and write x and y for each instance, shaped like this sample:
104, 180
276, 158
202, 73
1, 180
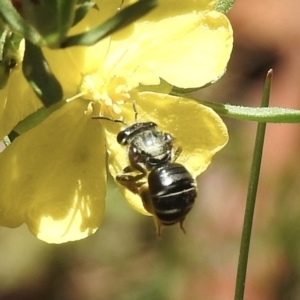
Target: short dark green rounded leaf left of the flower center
38, 74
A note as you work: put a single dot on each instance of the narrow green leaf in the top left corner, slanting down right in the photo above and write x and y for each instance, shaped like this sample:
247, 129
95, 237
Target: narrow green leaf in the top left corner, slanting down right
12, 18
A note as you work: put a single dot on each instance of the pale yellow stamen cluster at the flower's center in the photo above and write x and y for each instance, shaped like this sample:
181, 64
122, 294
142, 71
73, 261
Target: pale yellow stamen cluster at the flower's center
109, 93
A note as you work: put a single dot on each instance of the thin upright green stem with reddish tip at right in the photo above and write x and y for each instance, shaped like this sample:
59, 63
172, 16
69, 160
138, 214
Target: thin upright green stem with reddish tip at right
251, 197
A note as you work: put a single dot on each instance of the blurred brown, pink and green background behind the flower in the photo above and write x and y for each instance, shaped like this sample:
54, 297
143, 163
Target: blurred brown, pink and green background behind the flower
124, 260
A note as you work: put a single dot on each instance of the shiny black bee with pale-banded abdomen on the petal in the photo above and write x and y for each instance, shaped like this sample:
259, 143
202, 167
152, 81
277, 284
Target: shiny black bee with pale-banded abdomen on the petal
167, 189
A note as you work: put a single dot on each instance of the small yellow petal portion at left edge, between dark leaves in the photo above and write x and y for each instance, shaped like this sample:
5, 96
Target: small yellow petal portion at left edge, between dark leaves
17, 101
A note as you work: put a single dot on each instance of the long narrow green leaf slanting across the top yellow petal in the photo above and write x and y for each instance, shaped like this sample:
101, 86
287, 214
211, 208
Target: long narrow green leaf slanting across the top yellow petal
119, 21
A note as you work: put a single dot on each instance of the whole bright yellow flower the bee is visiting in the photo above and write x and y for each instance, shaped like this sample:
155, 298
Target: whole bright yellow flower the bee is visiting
53, 177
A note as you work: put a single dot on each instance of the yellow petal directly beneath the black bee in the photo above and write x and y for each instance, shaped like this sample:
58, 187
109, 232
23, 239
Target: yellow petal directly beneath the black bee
196, 128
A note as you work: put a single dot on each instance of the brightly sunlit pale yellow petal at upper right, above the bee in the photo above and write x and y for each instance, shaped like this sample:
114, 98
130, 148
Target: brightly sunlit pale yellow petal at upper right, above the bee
187, 51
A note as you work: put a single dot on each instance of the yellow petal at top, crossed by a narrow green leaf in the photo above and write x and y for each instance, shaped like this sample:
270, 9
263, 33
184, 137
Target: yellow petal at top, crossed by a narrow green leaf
71, 63
